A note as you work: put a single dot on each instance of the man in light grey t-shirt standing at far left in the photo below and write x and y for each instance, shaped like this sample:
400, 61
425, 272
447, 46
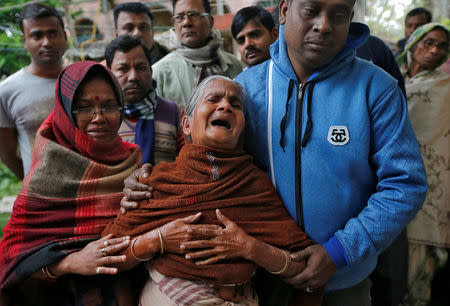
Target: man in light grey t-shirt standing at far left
27, 97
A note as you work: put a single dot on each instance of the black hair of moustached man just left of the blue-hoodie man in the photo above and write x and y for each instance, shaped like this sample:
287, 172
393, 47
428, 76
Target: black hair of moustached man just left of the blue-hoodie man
244, 15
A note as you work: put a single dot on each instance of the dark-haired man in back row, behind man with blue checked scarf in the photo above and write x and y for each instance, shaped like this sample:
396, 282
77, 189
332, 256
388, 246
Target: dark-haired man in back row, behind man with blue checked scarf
134, 18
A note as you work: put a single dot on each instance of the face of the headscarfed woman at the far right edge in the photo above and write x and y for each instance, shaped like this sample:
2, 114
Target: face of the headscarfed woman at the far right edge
431, 50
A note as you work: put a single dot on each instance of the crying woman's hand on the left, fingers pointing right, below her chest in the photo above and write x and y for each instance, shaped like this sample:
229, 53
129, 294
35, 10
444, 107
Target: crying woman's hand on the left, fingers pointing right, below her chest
182, 230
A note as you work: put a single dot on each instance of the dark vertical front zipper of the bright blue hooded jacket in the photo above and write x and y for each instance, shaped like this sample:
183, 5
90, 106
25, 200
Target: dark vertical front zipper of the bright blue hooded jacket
298, 155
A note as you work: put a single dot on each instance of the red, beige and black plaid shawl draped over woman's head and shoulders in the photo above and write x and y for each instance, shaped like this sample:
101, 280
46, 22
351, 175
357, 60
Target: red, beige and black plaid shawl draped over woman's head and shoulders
71, 192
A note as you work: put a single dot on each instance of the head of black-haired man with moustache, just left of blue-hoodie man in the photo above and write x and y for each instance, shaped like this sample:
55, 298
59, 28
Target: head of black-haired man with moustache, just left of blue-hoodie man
254, 30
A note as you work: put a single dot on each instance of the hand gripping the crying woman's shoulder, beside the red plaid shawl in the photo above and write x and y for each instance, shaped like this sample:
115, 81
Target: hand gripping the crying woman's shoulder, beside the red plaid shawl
135, 191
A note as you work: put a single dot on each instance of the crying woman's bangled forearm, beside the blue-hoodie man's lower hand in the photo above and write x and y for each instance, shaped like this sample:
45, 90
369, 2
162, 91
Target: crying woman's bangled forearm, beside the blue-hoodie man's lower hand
273, 259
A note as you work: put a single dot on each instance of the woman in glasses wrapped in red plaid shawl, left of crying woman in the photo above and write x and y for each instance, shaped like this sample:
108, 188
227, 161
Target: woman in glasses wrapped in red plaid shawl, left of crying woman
51, 249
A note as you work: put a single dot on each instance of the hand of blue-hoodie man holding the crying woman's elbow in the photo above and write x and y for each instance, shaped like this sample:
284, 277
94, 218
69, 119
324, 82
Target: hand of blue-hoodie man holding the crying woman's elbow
319, 268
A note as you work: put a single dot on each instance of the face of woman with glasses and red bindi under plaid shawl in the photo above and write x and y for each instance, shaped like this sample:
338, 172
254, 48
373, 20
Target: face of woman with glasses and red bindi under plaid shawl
97, 110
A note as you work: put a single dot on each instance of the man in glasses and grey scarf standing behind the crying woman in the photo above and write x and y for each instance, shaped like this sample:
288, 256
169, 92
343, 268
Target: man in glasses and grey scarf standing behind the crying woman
196, 52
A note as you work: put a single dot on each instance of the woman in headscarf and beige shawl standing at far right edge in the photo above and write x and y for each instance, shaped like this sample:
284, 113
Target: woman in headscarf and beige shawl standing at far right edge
428, 93
